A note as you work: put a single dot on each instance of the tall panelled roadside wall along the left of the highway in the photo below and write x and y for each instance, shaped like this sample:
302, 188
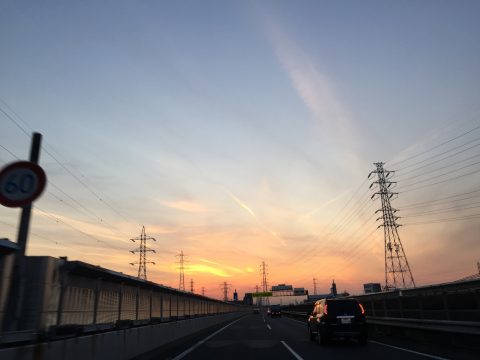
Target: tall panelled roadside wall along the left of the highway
71, 298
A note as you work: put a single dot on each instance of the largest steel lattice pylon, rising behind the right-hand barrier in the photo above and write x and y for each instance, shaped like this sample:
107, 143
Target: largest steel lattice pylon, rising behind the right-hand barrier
397, 269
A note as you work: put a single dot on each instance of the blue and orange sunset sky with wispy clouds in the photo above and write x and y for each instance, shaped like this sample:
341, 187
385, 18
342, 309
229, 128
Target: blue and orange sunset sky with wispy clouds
242, 132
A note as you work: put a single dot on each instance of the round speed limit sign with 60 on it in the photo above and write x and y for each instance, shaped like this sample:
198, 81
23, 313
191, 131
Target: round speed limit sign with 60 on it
21, 182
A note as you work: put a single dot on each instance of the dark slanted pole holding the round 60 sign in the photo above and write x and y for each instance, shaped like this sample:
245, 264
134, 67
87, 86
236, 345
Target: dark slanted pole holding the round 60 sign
16, 295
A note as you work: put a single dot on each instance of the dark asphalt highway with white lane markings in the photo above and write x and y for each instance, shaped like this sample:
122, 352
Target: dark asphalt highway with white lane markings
256, 336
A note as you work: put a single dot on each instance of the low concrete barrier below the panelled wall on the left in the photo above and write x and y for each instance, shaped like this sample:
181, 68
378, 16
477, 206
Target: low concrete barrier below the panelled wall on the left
115, 345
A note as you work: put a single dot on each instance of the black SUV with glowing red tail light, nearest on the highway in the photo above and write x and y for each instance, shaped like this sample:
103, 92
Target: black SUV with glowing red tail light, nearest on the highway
337, 318
